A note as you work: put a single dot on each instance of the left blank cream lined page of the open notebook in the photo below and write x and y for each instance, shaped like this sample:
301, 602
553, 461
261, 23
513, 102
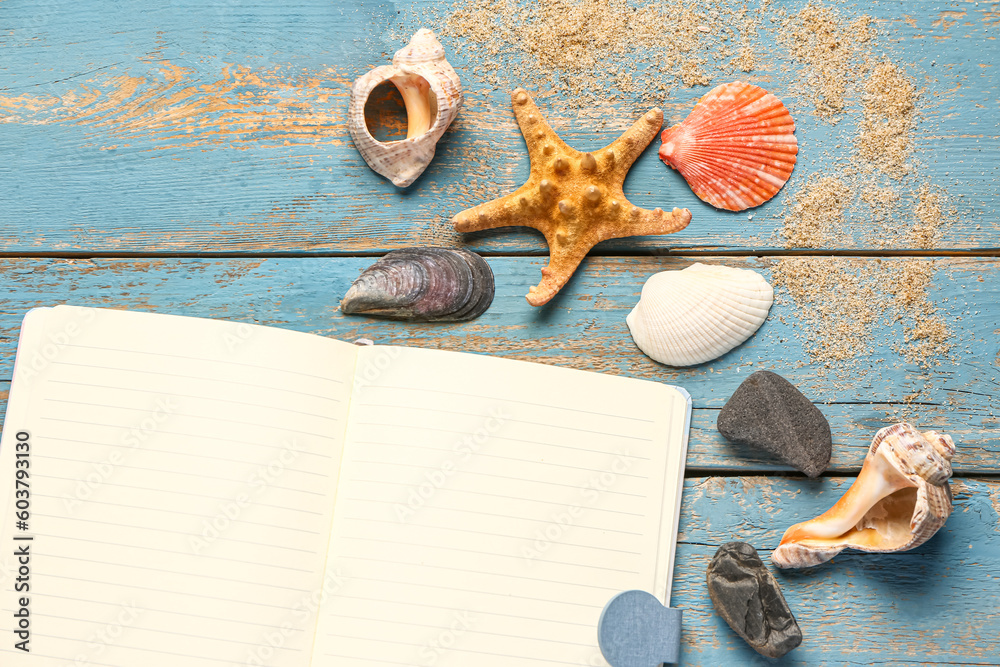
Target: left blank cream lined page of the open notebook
182, 482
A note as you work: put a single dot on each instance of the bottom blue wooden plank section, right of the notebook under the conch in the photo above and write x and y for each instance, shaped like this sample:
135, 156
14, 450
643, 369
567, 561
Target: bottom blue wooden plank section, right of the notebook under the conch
931, 605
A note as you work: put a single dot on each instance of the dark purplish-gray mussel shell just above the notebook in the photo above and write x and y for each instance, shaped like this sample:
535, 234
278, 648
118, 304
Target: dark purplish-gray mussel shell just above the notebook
423, 285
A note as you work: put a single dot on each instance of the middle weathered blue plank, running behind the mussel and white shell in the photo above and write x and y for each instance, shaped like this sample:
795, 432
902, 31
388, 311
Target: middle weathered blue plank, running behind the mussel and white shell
584, 328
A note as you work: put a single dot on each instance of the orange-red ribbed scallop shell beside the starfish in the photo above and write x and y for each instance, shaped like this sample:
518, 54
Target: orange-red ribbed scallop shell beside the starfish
736, 148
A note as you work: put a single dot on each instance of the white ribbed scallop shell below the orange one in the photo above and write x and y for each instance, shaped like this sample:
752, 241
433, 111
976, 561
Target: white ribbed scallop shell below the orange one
698, 314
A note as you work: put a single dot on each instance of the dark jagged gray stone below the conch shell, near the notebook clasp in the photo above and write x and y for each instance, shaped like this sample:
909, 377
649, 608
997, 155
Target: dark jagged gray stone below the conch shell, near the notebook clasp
748, 598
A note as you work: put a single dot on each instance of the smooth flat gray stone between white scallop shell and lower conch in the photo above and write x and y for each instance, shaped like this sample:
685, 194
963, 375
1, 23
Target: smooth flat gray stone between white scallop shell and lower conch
768, 413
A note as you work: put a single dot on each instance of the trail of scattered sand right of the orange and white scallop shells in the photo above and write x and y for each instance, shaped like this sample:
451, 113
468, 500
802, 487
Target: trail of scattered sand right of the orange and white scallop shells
843, 302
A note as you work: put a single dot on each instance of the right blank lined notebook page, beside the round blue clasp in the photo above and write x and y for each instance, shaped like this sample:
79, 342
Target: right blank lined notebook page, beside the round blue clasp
489, 509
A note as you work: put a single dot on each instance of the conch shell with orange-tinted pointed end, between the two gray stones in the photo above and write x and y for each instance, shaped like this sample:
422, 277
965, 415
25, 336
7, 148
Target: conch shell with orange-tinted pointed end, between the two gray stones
899, 500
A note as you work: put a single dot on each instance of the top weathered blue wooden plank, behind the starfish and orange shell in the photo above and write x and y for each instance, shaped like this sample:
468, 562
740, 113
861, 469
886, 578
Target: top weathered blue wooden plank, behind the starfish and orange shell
190, 128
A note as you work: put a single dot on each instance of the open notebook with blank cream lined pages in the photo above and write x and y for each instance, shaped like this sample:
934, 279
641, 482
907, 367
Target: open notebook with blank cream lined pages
210, 493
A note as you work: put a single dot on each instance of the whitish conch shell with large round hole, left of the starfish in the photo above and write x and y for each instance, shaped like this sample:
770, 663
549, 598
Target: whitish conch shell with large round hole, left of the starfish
432, 94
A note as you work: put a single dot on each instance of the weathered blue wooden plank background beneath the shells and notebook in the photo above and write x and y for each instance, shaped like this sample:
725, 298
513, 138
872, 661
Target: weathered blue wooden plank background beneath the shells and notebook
192, 158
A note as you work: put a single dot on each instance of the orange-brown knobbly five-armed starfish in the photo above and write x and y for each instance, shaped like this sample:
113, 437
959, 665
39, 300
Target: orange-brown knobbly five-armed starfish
574, 199
